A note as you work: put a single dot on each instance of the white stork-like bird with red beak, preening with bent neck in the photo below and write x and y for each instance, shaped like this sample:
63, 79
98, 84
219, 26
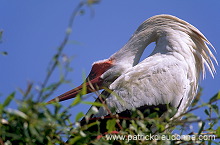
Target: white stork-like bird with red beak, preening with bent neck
169, 75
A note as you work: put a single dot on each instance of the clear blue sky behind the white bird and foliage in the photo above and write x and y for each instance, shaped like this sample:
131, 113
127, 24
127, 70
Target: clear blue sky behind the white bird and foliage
34, 29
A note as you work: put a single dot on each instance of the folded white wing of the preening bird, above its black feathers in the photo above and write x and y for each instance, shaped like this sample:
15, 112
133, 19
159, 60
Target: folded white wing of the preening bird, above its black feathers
156, 80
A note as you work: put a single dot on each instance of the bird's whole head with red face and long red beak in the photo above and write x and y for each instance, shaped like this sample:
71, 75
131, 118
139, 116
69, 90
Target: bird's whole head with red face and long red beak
102, 74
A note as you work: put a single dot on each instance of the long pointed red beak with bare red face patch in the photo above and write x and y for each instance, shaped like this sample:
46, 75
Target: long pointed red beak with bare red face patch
92, 83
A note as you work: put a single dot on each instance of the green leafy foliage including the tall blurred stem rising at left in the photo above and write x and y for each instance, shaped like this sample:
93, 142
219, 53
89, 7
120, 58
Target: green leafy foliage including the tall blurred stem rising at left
36, 122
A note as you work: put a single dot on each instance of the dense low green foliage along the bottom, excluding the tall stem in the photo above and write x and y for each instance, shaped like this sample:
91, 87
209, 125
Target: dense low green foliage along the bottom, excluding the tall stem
37, 123
